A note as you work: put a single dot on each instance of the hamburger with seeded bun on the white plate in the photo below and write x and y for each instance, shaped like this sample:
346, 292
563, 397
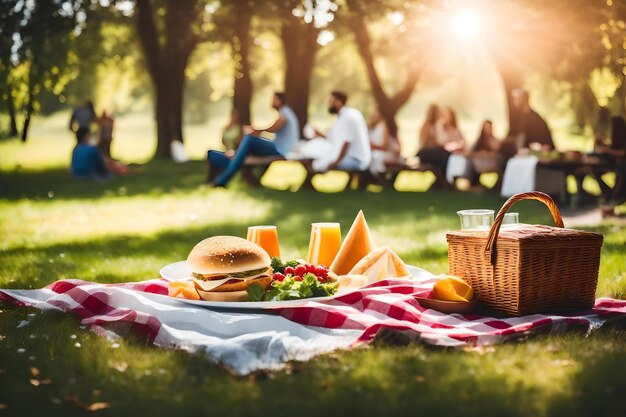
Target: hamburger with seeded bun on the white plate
224, 267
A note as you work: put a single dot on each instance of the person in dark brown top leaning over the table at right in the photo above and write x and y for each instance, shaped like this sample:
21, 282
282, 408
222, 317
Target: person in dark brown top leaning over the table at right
532, 128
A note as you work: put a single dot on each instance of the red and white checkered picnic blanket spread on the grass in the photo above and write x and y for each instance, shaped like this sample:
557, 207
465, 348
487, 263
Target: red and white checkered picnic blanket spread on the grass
245, 341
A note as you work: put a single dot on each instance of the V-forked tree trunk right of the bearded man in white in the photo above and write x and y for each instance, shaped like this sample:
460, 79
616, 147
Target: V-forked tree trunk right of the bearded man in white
388, 104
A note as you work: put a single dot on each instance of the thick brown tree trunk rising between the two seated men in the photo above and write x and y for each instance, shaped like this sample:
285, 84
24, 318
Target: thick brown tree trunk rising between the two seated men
300, 47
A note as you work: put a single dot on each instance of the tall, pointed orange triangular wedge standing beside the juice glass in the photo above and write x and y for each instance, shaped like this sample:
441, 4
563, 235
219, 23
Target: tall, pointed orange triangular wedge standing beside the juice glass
357, 244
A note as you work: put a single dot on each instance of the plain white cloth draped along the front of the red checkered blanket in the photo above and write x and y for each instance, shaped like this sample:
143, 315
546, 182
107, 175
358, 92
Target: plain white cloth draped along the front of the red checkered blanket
242, 341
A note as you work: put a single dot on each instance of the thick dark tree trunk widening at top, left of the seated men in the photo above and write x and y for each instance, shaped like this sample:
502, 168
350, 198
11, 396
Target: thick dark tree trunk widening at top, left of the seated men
168, 35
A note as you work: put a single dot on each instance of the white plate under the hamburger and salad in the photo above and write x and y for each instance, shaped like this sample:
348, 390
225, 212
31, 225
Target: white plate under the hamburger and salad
180, 271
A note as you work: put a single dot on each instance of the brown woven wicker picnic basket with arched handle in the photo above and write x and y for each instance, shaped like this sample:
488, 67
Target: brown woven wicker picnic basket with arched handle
528, 269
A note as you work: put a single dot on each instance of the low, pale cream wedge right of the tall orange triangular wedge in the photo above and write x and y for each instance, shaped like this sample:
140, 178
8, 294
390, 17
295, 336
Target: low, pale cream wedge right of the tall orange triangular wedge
381, 264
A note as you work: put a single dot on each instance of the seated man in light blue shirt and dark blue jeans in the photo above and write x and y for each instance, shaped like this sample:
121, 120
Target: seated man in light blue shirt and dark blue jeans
287, 134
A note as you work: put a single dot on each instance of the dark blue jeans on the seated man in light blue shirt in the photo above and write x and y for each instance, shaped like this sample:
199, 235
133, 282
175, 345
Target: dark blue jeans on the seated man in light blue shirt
250, 145
